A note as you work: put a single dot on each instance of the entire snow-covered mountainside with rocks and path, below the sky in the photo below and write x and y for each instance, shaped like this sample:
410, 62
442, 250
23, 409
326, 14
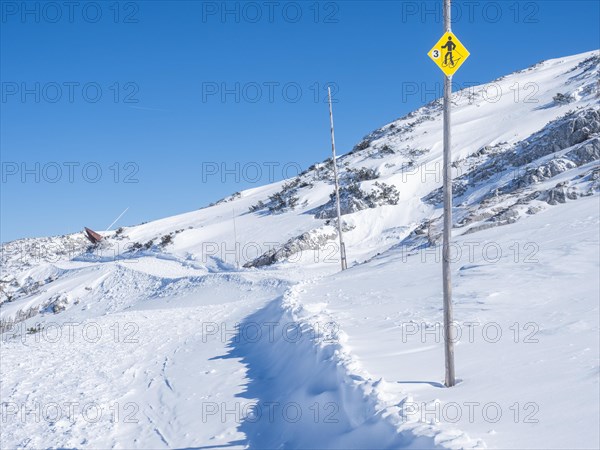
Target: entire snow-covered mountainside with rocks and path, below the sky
231, 326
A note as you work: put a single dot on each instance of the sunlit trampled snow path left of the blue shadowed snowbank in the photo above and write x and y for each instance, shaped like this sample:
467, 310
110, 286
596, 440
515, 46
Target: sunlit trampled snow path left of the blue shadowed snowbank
135, 378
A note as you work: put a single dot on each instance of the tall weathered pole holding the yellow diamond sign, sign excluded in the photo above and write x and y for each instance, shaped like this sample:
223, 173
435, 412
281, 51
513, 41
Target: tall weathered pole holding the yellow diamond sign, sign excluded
448, 328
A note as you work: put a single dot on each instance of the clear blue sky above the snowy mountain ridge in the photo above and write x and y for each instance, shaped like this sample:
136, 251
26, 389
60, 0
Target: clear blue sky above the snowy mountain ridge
110, 105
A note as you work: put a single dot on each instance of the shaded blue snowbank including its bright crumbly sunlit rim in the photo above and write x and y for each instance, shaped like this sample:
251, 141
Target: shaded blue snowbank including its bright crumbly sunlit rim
305, 375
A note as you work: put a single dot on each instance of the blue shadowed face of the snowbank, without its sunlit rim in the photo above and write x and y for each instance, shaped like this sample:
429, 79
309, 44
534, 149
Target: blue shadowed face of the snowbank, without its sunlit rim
304, 396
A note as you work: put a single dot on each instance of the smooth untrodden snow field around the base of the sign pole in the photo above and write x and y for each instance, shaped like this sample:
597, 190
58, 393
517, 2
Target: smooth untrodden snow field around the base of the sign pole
526, 309
